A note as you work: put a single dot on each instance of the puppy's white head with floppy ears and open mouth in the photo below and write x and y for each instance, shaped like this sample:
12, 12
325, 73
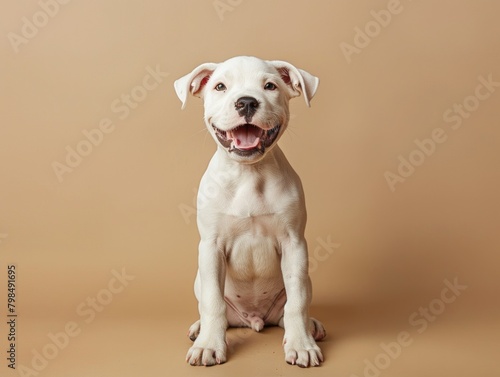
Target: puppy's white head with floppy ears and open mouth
246, 102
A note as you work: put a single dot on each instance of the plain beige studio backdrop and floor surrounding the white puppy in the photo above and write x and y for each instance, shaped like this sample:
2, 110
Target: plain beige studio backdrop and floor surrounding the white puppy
121, 206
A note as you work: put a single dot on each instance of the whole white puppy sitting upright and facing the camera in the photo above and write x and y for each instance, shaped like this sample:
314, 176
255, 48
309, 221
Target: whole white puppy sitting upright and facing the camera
253, 264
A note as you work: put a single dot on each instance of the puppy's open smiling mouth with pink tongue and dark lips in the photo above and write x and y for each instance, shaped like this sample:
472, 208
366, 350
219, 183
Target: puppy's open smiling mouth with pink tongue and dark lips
247, 139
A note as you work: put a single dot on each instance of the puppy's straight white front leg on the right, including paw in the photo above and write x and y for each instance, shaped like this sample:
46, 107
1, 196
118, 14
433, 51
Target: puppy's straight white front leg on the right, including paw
299, 344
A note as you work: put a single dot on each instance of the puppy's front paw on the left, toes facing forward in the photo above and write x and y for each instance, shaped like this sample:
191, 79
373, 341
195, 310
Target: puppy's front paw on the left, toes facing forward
207, 352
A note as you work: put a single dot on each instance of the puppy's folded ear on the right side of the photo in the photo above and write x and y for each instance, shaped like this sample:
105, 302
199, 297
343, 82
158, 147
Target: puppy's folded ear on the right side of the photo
298, 80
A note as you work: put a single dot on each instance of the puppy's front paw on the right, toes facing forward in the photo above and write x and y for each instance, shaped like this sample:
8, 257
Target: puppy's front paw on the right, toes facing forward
302, 351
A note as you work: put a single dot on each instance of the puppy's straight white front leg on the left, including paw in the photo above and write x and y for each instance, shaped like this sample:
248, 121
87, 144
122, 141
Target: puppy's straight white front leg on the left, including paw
209, 347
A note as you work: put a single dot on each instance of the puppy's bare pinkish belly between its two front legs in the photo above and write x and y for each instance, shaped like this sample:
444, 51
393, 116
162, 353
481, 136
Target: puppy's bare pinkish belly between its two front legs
254, 290
